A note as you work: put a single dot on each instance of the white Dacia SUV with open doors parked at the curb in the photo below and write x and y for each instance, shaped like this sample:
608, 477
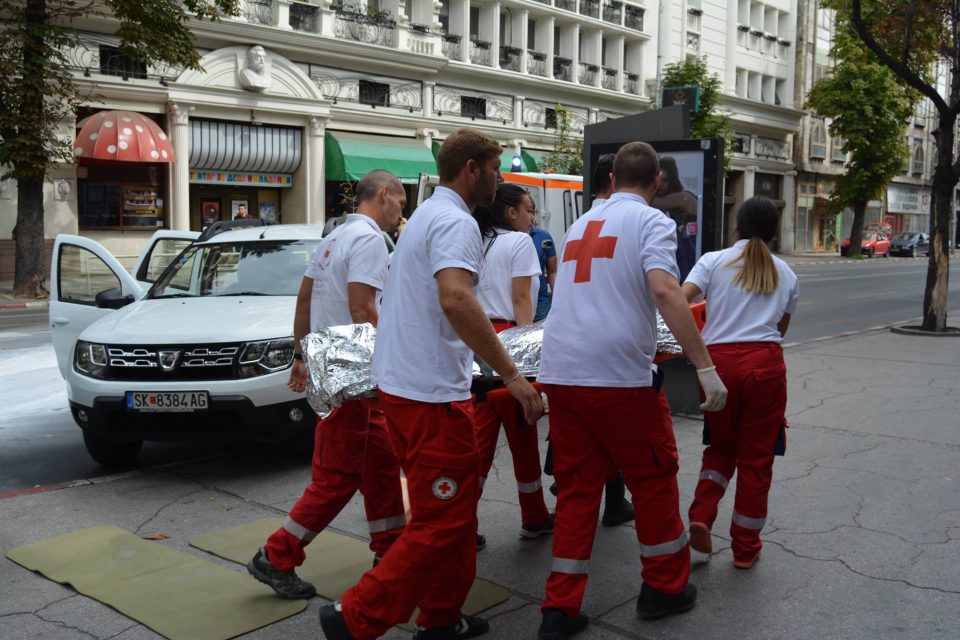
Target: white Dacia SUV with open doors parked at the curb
202, 354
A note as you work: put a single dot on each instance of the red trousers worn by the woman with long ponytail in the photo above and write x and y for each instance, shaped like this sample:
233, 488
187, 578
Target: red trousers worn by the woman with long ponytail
742, 438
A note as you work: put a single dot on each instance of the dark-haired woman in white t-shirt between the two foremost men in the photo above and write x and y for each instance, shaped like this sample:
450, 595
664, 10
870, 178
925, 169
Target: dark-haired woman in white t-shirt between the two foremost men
507, 291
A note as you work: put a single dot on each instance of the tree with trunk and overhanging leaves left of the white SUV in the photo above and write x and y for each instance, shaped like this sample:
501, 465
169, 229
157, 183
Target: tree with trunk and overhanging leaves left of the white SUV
40, 90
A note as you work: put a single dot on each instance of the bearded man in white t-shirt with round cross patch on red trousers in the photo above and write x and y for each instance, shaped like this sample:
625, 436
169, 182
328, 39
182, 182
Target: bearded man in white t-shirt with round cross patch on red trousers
430, 325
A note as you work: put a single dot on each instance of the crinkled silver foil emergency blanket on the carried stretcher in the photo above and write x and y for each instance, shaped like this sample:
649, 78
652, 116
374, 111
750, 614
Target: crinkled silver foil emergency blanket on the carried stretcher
338, 359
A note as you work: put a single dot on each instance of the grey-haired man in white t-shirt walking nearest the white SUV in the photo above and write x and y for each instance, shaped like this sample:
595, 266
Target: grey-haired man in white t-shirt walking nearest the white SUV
352, 448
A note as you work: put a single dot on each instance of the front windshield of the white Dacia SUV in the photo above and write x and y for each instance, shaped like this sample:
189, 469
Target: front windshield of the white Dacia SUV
259, 268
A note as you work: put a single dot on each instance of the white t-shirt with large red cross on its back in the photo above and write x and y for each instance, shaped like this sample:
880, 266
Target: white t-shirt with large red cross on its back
602, 327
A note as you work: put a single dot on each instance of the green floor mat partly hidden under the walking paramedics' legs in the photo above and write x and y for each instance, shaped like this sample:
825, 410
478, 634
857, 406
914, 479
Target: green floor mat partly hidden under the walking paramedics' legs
334, 562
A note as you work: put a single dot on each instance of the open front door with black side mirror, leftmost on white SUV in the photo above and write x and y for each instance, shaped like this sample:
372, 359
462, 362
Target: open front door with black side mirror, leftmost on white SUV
86, 283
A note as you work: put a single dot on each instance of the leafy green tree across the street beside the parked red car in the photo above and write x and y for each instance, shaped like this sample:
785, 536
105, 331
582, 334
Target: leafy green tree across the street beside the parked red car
869, 110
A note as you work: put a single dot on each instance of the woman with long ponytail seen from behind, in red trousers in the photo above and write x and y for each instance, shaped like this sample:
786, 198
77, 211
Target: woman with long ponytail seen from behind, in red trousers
750, 295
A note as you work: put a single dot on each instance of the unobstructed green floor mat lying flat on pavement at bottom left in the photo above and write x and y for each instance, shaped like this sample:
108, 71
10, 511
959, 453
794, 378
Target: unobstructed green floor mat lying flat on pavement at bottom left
178, 595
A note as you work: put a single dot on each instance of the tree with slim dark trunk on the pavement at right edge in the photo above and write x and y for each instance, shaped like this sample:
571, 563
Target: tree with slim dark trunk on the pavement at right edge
911, 38
